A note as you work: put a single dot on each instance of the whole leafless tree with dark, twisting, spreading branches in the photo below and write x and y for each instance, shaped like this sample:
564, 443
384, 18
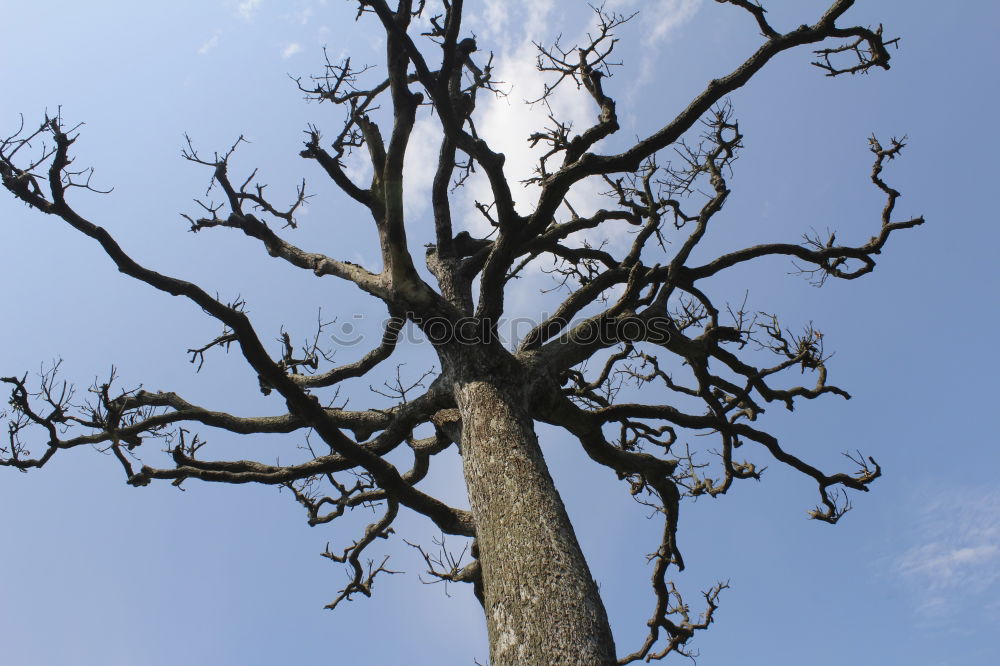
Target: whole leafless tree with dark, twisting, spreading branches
635, 316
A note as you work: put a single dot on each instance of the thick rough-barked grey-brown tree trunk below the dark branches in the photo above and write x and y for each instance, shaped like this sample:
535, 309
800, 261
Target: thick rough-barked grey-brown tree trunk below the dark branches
542, 606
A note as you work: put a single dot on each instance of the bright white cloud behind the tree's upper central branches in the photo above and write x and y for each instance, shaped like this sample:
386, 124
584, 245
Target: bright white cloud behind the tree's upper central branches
508, 28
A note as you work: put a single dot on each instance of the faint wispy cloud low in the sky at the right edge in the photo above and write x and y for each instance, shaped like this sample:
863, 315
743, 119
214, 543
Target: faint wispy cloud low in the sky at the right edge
957, 561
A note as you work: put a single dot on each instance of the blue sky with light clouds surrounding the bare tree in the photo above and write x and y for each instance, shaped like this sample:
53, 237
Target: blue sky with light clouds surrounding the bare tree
96, 572
